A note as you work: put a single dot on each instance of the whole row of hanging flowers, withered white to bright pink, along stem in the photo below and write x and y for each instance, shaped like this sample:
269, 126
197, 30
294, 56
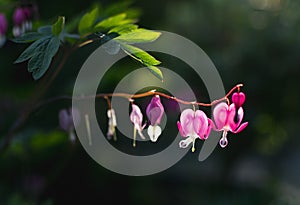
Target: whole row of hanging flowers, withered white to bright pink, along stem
193, 124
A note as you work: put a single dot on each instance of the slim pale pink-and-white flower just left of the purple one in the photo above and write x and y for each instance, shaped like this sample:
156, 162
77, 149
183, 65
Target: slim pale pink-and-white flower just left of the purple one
136, 118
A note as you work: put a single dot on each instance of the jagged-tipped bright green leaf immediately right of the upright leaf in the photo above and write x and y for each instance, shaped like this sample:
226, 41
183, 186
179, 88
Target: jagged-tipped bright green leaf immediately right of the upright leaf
113, 21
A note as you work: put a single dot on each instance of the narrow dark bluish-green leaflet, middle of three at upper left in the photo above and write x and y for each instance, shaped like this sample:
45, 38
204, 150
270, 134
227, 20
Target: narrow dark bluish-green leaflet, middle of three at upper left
32, 49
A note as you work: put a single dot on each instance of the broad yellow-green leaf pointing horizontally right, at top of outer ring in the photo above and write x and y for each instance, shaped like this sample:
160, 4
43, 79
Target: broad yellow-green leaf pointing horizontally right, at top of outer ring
139, 36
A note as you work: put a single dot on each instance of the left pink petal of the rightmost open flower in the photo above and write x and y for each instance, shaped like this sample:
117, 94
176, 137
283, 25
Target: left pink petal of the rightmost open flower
220, 115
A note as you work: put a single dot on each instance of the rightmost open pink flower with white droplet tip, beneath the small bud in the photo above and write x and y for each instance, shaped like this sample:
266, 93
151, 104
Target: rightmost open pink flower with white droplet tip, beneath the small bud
228, 119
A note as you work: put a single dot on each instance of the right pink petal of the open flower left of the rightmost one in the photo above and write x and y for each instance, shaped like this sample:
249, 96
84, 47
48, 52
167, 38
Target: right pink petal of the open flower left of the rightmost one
200, 123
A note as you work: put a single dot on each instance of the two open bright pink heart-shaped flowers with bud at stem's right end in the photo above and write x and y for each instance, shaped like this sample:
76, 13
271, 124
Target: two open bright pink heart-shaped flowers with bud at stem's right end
227, 118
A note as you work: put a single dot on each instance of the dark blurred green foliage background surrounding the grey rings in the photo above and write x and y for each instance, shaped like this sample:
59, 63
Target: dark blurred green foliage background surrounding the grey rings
255, 42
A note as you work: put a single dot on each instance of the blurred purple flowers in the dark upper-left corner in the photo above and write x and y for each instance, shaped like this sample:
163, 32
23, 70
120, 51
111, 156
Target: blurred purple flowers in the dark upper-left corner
22, 19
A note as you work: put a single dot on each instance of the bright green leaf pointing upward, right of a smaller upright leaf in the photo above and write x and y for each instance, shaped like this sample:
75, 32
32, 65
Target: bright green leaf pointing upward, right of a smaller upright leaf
87, 21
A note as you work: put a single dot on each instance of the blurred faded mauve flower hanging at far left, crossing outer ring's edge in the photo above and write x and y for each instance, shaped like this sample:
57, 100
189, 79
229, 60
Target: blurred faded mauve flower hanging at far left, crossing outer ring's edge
68, 120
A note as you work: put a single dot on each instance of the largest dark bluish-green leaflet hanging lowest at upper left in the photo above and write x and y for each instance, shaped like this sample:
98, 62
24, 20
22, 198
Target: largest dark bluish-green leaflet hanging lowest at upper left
44, 59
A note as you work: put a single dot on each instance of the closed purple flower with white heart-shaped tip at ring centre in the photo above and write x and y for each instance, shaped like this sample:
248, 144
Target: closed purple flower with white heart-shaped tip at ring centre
154, 111
